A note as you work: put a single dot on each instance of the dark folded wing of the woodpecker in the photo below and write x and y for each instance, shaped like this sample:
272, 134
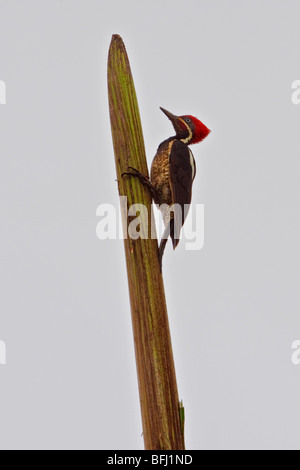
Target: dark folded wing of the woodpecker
182, 174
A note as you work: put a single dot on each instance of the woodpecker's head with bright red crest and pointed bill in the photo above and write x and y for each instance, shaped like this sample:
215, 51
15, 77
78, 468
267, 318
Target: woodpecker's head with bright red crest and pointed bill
188, 128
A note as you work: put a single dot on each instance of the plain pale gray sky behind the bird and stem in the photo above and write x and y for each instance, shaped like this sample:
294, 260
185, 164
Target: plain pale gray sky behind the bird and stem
70, 379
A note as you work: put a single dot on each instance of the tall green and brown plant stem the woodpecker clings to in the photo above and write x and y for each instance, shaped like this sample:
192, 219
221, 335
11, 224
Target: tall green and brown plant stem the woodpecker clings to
162, 427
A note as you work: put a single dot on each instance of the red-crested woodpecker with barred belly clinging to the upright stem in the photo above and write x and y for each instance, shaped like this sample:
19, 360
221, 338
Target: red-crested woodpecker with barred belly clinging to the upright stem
172, 174
